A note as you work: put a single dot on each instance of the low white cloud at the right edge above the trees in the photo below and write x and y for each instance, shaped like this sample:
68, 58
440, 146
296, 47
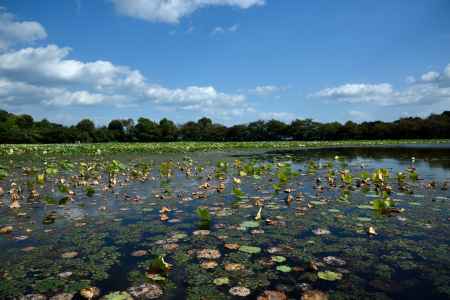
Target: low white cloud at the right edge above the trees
432, 88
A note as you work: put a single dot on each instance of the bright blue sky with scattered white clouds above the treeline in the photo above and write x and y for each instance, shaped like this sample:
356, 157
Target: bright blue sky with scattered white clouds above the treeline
234, 61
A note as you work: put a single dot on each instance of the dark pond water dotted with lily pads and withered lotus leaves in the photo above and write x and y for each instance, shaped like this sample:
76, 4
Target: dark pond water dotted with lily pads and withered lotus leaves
341, 221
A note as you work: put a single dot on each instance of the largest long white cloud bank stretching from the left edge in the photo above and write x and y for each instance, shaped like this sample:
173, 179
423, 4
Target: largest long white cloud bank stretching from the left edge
46, 76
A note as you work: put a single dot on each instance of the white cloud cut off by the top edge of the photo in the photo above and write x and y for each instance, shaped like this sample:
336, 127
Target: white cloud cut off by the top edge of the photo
171, 11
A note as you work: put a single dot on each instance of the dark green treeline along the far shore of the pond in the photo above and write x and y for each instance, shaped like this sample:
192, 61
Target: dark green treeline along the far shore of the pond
15, 129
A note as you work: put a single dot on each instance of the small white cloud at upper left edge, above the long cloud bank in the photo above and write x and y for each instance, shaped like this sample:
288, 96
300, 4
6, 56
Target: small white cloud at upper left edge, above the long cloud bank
13, 32
